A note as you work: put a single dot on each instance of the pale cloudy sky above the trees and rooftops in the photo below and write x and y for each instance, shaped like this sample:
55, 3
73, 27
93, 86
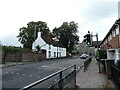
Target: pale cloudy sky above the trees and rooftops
96, 16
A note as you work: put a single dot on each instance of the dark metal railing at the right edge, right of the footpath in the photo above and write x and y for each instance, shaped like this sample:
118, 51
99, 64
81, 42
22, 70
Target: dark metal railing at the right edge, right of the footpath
115, 76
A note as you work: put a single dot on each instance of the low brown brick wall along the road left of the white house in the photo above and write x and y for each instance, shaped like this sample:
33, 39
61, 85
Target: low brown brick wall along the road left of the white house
10, 57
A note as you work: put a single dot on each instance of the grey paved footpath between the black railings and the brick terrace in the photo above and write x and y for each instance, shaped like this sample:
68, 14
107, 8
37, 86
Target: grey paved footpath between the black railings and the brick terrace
91, 78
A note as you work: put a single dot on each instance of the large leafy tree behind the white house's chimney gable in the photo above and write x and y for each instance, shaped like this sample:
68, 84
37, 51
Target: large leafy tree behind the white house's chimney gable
27, 35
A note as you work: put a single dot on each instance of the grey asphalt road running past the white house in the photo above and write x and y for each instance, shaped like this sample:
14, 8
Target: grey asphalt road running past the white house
19, 76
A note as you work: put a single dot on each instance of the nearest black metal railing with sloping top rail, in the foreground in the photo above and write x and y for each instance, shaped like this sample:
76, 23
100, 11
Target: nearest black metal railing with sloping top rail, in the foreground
66, 81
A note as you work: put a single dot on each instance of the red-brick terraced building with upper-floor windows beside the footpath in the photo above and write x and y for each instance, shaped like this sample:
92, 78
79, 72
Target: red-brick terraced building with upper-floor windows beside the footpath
112, 39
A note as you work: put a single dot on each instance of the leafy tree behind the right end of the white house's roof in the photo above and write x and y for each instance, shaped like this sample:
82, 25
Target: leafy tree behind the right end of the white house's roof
66, 34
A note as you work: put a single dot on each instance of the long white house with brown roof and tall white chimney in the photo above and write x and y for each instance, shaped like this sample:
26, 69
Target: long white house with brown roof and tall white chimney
53, 48
